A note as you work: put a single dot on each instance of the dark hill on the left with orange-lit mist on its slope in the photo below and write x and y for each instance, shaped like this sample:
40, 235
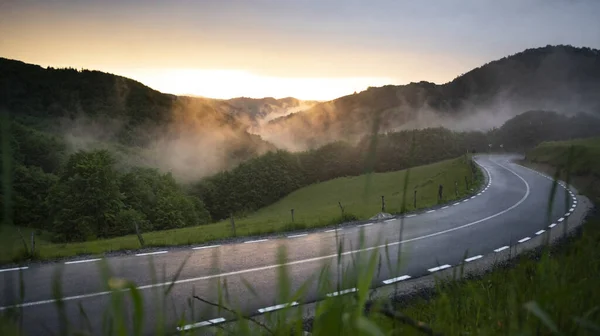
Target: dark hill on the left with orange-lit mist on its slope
189, 136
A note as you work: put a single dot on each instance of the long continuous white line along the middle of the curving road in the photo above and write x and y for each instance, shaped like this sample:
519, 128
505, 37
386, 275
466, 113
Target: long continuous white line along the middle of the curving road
297, 262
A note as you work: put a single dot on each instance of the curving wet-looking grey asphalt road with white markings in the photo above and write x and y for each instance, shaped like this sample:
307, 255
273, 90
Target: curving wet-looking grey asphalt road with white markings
510, 210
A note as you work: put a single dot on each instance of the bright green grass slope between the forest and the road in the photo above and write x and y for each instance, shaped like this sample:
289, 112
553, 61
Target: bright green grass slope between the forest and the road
314, 206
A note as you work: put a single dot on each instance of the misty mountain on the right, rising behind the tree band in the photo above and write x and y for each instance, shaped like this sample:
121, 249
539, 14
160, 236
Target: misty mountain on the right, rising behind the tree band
558, 78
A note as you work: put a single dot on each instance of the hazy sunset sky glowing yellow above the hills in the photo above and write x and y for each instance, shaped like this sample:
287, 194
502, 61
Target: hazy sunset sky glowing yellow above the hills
310, 49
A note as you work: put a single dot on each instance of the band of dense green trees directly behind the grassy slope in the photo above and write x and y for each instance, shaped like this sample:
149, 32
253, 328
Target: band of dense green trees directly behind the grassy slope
90, 194
